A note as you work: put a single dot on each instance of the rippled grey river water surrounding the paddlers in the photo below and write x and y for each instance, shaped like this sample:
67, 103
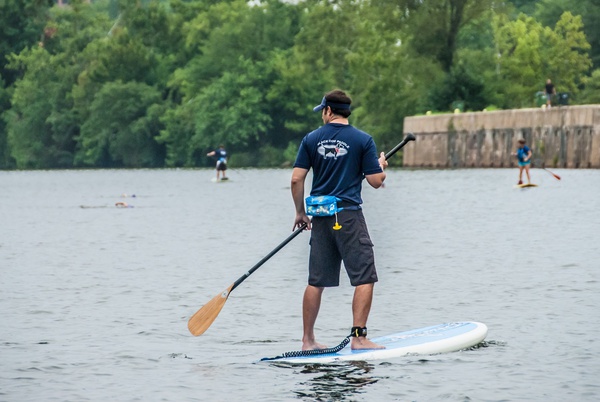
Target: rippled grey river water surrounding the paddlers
94, 299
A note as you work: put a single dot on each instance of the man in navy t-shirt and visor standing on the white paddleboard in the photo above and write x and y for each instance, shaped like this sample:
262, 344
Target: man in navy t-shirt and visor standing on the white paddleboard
341, 156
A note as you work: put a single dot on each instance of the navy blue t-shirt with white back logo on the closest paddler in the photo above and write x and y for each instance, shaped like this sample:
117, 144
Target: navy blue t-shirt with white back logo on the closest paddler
340, 155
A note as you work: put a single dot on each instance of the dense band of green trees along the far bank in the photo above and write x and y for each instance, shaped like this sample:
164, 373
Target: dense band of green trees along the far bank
117, 83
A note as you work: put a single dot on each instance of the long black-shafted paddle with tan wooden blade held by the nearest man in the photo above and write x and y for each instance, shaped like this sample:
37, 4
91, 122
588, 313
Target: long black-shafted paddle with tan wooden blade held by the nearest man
203, 318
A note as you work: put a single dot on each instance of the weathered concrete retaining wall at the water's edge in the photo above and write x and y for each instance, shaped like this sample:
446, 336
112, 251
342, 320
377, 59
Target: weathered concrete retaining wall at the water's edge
565, 137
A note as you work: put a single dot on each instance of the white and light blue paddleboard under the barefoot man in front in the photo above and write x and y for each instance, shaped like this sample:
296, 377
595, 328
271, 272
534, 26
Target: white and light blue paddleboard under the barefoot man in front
442, 338
